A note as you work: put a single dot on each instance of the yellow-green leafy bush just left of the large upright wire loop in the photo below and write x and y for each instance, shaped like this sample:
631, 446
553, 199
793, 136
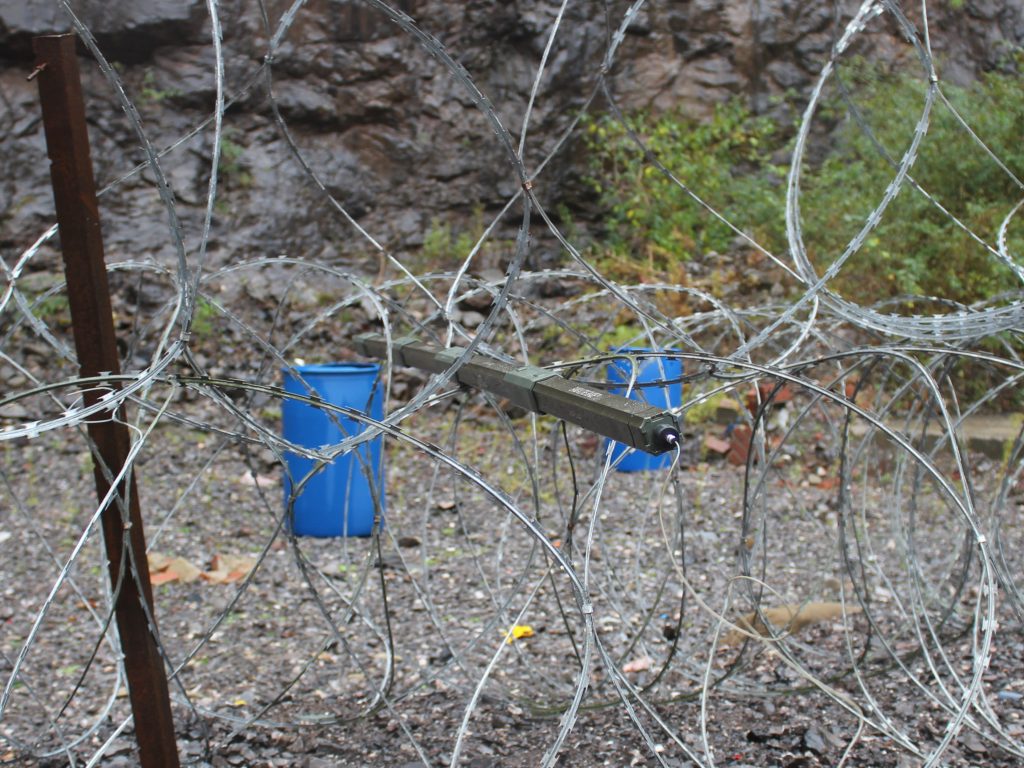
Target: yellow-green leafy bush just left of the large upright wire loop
651, 219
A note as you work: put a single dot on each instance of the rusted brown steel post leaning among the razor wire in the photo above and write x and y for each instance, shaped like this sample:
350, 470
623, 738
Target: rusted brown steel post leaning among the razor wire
93, 322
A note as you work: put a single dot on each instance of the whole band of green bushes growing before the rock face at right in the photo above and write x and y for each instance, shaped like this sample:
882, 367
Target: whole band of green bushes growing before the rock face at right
654, 228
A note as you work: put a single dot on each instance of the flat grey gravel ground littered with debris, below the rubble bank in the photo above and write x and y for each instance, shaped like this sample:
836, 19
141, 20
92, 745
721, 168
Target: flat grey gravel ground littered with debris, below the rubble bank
286, 667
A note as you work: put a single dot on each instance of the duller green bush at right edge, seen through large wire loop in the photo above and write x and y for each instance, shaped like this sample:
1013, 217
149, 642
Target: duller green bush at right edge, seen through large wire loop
917, 249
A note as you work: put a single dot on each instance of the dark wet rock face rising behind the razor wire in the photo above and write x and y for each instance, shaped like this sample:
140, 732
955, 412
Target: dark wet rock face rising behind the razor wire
353, 106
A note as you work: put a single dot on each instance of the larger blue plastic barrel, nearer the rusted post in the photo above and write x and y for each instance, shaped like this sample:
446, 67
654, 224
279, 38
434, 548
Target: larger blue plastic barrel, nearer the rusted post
337, 501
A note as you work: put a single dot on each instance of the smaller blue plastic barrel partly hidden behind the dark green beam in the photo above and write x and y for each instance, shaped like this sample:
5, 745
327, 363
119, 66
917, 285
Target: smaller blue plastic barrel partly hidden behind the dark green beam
666, 397
